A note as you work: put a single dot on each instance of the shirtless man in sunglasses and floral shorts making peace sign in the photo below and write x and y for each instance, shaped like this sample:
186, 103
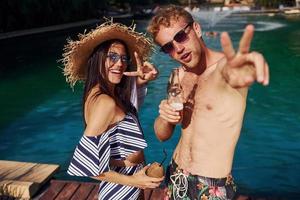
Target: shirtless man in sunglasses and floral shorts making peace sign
215, 88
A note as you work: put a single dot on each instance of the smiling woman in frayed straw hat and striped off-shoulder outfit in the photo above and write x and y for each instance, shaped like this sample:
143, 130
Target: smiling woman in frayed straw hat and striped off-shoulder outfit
111, 148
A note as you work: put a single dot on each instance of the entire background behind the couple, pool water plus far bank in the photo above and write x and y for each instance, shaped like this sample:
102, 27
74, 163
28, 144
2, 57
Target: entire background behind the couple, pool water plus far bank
41, 116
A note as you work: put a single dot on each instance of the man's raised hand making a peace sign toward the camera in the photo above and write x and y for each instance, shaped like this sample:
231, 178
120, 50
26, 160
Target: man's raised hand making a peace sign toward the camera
243, 68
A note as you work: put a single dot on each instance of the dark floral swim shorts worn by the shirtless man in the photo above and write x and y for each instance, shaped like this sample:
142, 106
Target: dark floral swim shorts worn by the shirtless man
185, 186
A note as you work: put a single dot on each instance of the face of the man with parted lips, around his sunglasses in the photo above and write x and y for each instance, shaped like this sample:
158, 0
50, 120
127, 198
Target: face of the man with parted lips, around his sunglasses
188, 51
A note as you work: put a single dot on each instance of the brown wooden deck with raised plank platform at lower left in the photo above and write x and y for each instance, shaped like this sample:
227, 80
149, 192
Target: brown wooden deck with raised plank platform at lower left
19, 180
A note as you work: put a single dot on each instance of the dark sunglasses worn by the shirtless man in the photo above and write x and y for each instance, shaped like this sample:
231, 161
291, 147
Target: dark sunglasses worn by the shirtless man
179, 37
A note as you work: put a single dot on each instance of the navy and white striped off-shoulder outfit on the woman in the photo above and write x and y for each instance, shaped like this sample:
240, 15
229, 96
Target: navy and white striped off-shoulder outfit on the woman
92, 156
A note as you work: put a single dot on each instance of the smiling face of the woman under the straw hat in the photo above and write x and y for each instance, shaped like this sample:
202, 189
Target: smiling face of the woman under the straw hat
116, 62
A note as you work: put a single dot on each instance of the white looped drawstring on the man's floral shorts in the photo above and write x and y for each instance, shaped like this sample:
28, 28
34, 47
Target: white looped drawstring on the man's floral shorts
180, 182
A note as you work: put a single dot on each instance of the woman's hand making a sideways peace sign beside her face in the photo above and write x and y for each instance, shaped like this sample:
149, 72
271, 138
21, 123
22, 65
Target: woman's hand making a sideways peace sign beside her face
145, 71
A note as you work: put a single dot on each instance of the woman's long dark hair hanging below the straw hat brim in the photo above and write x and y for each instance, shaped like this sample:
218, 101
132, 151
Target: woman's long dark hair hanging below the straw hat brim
96, 75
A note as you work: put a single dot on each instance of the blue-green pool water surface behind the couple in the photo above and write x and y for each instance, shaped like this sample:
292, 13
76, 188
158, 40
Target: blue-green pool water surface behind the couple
41, 118
